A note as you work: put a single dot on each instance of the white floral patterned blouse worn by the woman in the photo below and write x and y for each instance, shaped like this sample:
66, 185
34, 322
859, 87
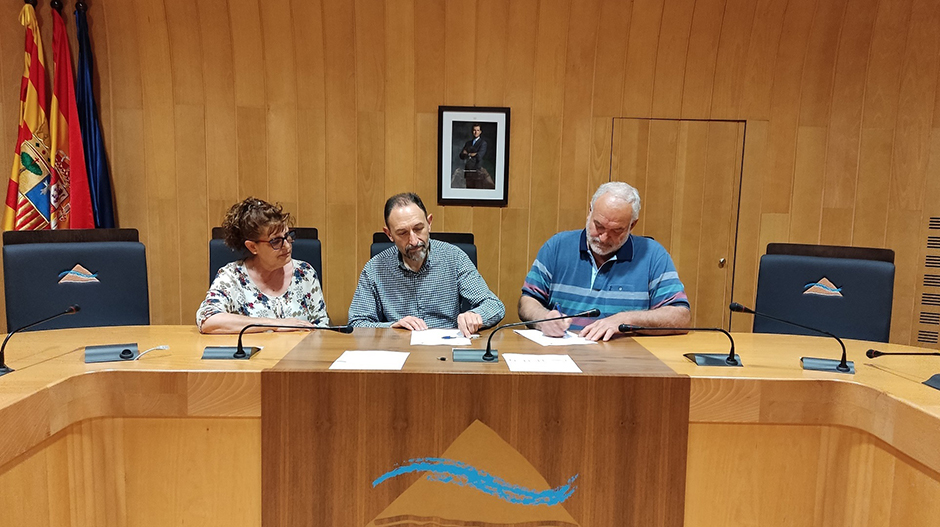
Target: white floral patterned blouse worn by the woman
232, 291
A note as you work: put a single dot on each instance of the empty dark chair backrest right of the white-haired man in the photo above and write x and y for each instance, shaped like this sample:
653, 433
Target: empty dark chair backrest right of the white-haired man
846, 291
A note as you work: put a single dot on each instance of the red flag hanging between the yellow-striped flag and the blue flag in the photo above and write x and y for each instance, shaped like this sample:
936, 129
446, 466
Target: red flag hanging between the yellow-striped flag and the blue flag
69, 197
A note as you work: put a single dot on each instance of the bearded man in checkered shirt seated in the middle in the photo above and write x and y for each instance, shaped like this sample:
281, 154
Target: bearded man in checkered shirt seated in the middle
420, 282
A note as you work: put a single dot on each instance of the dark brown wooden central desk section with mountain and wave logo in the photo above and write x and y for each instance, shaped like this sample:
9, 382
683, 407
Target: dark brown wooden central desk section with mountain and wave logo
502, 447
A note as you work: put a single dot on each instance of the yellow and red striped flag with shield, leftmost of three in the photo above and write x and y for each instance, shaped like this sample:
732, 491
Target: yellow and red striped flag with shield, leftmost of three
27, 203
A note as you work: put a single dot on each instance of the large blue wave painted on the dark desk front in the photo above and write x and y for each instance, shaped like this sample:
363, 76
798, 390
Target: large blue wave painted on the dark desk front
465, 475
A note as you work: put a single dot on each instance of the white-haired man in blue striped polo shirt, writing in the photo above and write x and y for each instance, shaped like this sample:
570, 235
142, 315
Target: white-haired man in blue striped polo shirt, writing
630, 279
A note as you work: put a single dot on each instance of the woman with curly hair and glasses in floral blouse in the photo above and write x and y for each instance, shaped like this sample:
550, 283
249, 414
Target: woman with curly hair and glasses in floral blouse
267, 287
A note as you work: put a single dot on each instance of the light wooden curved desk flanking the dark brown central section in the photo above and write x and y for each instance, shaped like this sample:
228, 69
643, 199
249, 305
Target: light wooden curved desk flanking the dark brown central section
171, 439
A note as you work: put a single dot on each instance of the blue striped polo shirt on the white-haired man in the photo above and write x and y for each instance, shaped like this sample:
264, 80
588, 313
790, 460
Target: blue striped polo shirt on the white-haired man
640, 276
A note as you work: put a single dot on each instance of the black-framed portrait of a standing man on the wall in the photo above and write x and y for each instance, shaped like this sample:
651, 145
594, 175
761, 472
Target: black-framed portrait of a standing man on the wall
473, 155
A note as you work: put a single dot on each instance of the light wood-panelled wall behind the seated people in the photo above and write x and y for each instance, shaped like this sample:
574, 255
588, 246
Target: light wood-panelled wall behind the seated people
331, 106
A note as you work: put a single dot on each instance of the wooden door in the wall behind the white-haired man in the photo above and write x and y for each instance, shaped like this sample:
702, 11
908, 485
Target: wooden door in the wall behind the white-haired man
688, 174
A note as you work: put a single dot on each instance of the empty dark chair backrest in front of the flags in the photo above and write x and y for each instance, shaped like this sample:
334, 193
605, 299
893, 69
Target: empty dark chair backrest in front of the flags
102, 270
